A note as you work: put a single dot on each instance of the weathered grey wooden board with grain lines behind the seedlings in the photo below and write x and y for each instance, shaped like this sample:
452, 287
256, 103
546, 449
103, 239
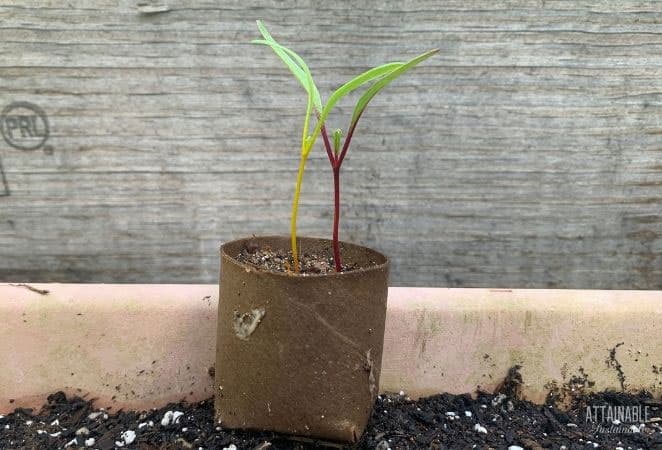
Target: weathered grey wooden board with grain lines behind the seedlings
527, 154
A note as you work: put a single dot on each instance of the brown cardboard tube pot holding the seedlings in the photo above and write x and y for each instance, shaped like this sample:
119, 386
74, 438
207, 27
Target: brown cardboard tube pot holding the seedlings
300, 354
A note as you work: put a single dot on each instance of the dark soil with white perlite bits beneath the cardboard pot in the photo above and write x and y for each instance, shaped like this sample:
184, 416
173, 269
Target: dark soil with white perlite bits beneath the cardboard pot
497, 421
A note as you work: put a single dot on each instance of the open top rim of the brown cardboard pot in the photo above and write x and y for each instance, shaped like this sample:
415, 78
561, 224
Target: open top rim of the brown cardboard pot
362, 270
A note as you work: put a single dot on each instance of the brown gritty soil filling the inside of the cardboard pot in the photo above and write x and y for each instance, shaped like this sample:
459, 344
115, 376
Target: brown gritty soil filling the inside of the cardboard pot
279, 260
